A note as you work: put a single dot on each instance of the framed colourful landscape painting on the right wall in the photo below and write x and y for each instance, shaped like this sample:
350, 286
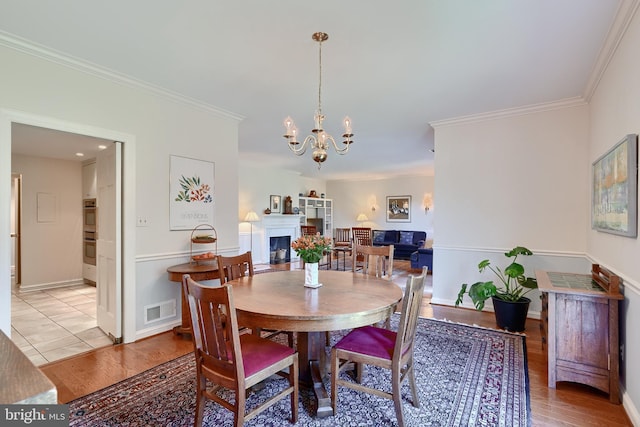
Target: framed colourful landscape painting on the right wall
614, 201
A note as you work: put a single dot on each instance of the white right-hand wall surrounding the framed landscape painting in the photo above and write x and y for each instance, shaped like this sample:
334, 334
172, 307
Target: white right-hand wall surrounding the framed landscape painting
615, 112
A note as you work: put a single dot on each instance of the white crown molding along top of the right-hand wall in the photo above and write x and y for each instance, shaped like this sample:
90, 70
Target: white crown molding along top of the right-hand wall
624, 15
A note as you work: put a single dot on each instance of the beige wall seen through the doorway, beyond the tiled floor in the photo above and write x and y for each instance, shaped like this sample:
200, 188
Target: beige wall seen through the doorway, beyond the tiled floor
51, 251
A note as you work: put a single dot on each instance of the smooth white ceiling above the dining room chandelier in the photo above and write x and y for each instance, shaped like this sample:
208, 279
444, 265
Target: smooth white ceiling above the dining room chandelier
393, 67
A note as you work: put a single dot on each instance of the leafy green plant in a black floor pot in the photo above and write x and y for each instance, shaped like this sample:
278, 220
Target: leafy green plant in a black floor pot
509, 301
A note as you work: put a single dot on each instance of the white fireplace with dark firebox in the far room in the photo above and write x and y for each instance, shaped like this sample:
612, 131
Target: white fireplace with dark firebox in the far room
279, 232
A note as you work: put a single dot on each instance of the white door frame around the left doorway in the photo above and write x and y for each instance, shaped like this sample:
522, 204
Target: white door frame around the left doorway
7, 117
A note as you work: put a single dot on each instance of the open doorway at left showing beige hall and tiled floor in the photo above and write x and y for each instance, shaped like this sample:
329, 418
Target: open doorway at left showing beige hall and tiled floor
52, 317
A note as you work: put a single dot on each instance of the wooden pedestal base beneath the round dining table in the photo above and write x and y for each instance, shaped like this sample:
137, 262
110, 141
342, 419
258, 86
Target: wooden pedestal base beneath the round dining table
313, 367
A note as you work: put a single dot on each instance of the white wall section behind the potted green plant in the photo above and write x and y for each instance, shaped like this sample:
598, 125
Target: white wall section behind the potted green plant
509, 180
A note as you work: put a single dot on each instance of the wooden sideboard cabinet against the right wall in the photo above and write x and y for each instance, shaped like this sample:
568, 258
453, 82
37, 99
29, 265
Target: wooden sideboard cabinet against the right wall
579, 325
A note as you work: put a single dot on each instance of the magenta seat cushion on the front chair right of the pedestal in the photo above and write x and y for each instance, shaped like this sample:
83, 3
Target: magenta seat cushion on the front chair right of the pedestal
371, 341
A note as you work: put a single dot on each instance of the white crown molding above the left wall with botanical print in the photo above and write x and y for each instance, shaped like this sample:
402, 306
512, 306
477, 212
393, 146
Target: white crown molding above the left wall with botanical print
30, 48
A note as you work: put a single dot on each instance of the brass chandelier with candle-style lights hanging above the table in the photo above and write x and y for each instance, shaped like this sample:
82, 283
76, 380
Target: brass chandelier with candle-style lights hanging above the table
319, 140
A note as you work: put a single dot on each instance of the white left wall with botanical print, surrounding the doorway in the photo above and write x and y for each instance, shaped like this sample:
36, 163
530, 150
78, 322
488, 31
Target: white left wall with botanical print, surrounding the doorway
158, 125
